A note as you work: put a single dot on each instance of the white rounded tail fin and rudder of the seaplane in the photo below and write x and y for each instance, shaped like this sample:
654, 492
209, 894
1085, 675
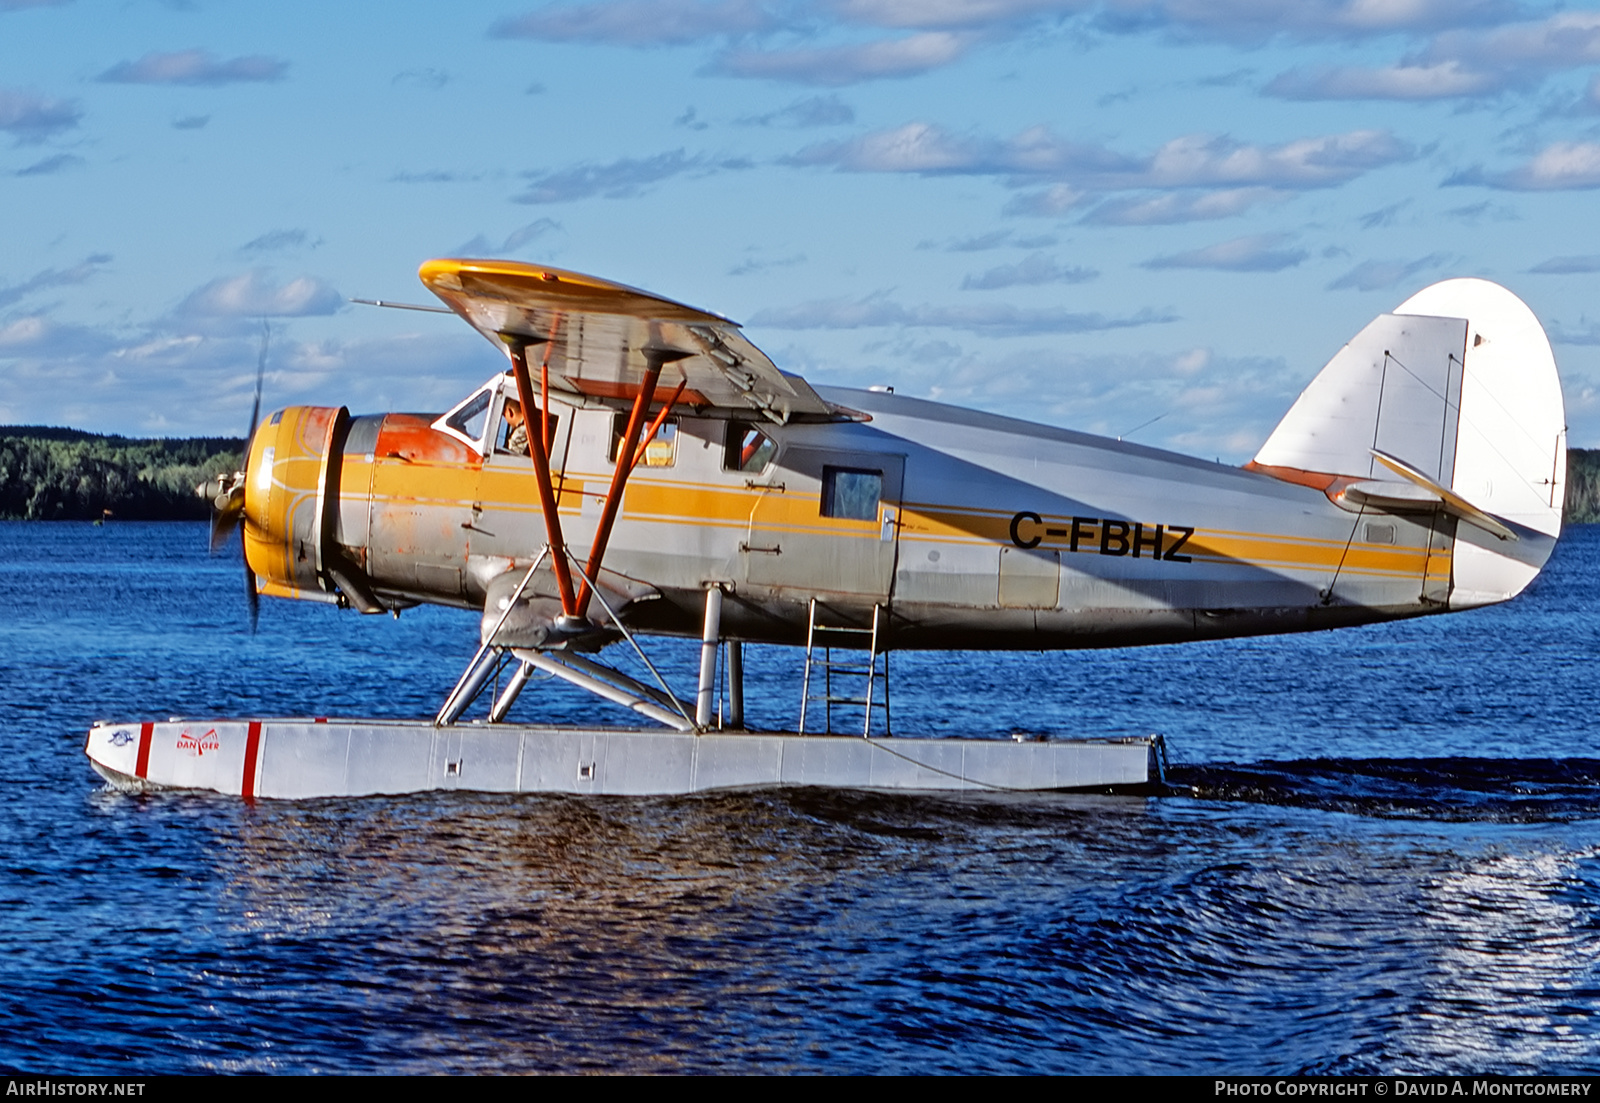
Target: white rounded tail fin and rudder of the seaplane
1460, 385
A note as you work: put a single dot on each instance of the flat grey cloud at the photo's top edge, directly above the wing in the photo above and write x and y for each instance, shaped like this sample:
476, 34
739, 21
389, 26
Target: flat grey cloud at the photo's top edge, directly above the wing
641, 23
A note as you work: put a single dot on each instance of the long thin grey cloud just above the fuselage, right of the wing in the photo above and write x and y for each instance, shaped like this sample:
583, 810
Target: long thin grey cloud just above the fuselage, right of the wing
1001, 321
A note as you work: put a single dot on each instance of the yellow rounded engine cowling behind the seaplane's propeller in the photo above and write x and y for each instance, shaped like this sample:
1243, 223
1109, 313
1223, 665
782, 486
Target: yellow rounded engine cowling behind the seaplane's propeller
292, 500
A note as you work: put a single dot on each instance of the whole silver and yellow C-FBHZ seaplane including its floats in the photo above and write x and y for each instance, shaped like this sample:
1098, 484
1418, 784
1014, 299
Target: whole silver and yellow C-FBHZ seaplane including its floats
638, 468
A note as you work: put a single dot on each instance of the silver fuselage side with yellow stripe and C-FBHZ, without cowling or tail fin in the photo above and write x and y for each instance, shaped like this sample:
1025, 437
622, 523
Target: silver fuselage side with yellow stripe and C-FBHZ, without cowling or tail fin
985, 532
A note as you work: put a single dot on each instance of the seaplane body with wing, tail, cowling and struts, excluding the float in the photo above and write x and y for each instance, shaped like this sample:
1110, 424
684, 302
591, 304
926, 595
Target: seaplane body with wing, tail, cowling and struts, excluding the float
668, 479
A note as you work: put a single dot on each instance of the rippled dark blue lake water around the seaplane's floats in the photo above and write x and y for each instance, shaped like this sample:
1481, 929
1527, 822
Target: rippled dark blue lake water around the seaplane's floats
1388, 859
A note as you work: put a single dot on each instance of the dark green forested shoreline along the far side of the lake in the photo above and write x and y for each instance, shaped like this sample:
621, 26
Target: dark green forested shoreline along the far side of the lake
65, 475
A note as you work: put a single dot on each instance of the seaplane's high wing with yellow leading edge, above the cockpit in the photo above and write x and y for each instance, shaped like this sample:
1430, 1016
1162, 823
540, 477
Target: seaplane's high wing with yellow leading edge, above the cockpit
593, 335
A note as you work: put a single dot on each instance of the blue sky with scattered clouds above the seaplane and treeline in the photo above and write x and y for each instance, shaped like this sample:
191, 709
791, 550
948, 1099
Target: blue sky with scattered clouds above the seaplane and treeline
1150, 217
